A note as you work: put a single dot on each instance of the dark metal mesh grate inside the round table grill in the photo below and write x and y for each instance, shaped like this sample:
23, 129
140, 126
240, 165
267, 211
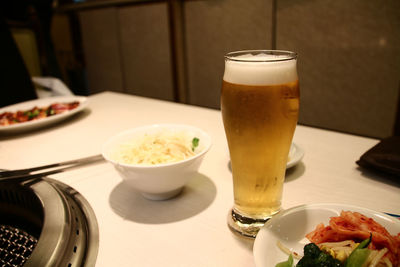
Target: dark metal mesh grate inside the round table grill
16, 246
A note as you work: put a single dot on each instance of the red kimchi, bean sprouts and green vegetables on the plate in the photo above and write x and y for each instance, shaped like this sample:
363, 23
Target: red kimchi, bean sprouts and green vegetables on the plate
350, 239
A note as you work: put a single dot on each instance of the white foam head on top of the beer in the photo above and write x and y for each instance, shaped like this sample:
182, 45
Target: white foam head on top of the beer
260, 69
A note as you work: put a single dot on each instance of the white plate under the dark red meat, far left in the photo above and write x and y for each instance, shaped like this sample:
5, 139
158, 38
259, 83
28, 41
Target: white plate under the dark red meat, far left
42, 102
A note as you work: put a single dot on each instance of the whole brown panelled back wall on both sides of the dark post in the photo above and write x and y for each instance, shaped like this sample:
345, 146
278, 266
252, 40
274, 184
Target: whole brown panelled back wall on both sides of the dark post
349, 53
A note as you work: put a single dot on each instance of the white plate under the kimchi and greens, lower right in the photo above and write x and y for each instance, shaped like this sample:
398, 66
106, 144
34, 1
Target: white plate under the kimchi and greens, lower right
290, 227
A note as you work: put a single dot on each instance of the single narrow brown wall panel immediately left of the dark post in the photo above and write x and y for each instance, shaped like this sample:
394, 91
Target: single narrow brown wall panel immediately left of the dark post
145, 50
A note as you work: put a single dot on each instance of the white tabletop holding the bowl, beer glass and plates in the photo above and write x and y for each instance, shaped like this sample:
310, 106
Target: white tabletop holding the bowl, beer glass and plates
189, 230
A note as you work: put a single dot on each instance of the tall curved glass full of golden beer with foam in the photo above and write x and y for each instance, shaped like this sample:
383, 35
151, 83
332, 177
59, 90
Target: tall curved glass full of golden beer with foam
260, 106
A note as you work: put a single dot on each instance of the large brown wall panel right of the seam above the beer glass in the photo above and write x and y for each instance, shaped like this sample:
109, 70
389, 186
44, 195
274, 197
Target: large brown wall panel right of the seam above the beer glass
349, 62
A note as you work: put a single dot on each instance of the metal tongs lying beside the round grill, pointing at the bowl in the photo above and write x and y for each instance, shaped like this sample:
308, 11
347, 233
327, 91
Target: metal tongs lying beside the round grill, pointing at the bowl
30, 173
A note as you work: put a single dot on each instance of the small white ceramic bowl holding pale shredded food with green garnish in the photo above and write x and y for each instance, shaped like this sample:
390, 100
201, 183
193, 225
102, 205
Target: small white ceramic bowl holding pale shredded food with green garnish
161, 181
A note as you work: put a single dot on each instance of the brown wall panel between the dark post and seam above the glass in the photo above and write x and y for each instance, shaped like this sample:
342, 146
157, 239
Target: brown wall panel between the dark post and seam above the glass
214, 28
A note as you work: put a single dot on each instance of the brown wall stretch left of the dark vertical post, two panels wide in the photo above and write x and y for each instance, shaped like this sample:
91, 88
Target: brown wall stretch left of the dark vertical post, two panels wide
127, 50
